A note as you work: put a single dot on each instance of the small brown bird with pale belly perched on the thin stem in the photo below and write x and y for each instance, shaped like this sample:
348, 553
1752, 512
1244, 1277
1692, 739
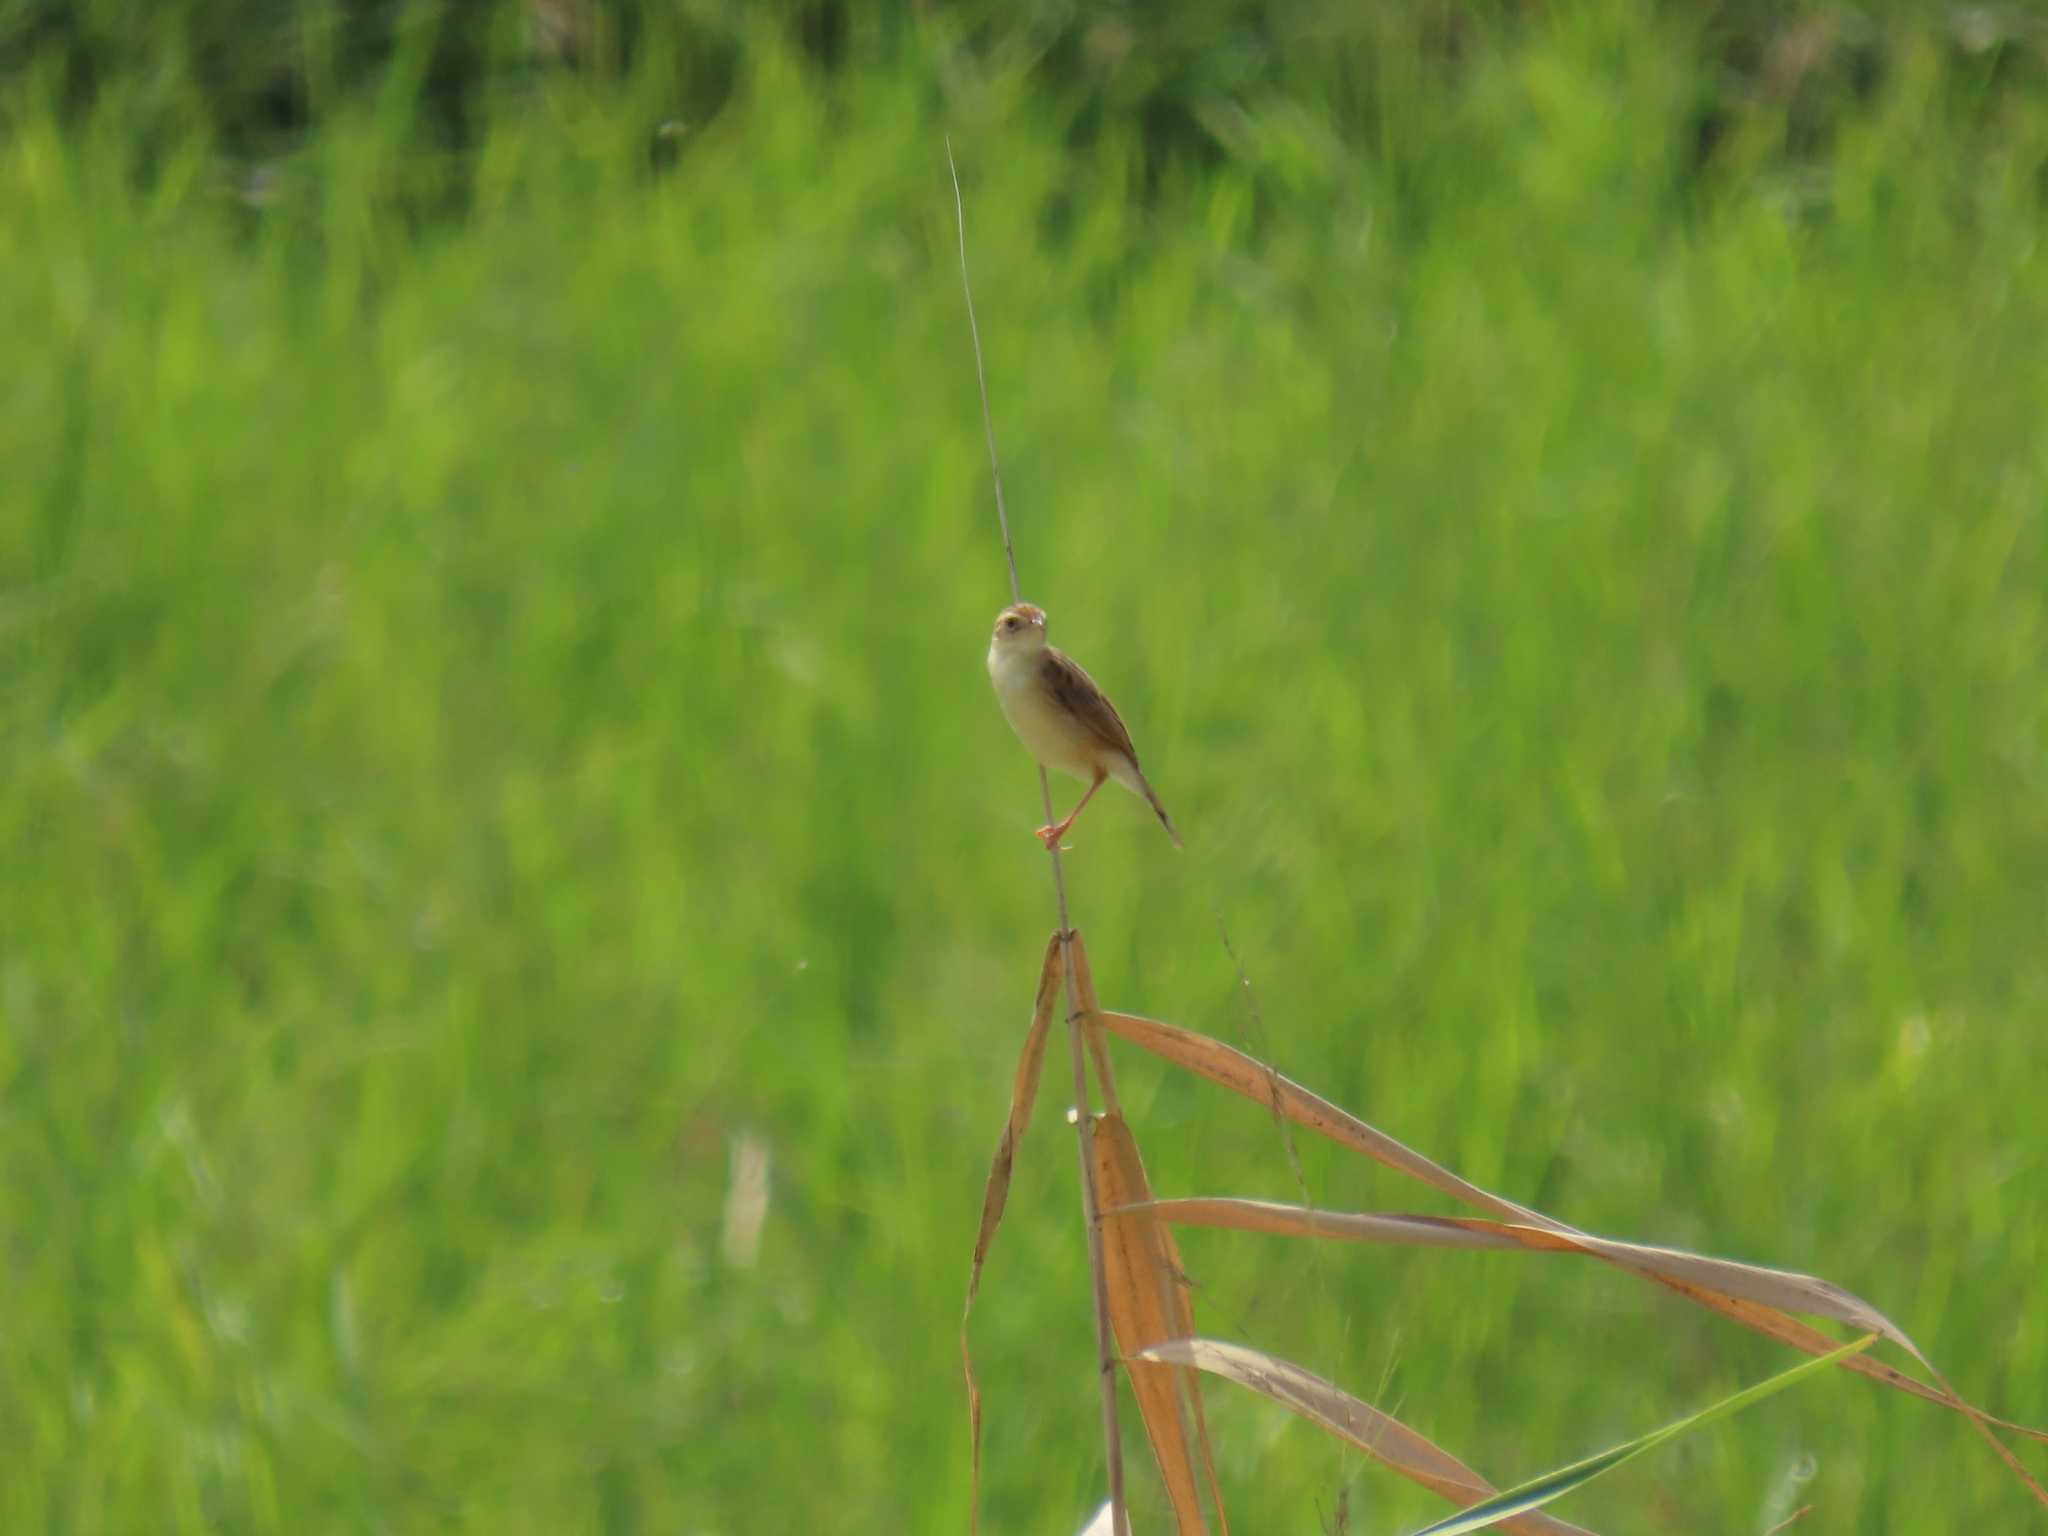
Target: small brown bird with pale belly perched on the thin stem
1062, 718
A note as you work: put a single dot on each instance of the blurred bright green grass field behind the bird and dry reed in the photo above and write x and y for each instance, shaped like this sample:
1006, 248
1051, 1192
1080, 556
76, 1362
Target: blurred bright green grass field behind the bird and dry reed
495, 720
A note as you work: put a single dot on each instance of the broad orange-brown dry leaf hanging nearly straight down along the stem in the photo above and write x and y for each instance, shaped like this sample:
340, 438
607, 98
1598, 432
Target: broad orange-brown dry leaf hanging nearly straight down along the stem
1148, 1295
